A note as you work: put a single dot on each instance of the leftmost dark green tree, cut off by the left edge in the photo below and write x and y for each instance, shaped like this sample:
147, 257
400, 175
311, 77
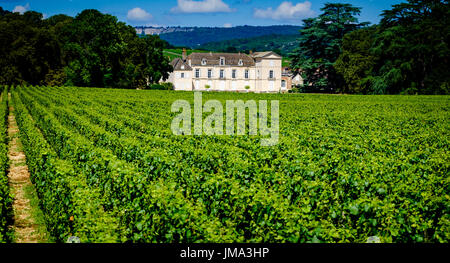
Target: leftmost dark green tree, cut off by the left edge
29, 51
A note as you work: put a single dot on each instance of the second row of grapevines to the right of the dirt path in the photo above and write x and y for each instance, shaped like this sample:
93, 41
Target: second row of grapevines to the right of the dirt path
149, 211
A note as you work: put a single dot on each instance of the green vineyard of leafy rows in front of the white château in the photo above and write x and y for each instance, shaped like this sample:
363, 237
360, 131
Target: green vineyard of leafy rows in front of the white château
107, 168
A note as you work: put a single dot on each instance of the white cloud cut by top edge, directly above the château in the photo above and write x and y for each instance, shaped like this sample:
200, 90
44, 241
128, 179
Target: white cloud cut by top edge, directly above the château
205, 6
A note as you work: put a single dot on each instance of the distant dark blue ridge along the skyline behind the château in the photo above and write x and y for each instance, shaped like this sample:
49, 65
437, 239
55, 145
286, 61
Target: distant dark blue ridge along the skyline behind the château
198, 36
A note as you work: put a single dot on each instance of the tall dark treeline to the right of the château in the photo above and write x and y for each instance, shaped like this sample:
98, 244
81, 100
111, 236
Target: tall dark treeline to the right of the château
407, 53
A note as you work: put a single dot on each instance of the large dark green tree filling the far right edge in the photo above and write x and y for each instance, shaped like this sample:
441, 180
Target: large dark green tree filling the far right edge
413, 49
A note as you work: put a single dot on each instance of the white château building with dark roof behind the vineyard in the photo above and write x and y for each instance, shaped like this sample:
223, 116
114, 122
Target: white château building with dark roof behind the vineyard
259, 72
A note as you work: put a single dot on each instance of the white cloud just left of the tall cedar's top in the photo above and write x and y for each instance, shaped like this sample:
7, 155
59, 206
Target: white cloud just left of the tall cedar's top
286, 11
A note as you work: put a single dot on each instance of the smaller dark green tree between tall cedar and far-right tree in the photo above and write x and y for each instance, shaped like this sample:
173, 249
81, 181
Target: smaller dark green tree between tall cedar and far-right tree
356, 61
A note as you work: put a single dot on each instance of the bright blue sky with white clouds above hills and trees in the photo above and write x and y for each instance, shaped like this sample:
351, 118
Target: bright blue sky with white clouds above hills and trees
200, 12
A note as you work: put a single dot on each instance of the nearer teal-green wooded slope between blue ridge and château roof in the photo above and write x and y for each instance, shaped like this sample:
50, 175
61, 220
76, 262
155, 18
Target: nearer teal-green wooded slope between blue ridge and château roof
281, 44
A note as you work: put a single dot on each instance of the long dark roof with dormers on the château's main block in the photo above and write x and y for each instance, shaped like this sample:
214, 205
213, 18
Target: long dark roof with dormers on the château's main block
213, 59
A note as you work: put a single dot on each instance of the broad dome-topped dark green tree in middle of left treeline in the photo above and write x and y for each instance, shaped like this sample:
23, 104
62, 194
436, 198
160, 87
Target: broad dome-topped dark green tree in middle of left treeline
95, 49
